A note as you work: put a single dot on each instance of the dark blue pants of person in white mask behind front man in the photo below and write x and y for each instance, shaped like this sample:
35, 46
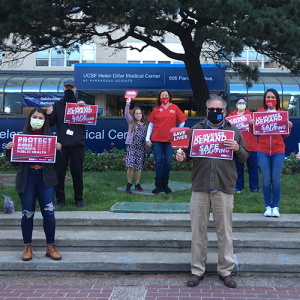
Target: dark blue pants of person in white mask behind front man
252, 170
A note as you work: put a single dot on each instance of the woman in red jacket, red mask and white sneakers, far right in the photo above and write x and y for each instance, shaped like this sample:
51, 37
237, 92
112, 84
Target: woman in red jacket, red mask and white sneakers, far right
271, 156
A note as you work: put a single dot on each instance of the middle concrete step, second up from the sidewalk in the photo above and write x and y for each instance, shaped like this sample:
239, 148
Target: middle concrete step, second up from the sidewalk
77, 240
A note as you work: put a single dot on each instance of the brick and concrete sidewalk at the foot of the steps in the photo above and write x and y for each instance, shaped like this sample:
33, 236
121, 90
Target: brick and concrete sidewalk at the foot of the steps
143, 287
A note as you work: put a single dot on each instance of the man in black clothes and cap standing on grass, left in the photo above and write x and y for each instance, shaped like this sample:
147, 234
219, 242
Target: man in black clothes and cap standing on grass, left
71, 136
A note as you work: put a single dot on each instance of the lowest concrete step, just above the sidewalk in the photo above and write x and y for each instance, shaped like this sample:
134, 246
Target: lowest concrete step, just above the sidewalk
247, 263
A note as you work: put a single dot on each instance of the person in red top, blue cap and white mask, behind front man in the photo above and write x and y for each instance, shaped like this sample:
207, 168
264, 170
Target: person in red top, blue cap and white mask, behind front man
251, 142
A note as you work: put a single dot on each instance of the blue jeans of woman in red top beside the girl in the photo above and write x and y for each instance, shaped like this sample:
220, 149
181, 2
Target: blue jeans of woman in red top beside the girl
163, 153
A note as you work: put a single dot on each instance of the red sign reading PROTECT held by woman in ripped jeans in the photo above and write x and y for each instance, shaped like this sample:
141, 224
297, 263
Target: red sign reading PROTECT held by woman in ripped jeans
34, 148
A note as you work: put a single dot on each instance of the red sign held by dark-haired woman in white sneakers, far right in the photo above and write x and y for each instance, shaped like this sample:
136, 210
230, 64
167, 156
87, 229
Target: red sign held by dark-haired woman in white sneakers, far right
271, 123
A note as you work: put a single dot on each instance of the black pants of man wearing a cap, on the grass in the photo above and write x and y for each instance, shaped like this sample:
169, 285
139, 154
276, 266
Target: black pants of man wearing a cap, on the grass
76, 156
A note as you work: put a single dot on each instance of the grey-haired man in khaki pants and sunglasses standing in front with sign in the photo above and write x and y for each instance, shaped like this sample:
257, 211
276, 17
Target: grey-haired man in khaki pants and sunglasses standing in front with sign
213, 185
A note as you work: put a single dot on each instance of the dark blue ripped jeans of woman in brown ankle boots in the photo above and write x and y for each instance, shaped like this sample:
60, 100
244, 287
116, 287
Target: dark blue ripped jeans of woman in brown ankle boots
35, 188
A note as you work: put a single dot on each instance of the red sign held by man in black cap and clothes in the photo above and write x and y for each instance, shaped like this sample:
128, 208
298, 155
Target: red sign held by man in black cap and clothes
85, 114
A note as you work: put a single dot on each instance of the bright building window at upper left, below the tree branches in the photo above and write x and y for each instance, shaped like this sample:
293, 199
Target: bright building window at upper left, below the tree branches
60, 57
